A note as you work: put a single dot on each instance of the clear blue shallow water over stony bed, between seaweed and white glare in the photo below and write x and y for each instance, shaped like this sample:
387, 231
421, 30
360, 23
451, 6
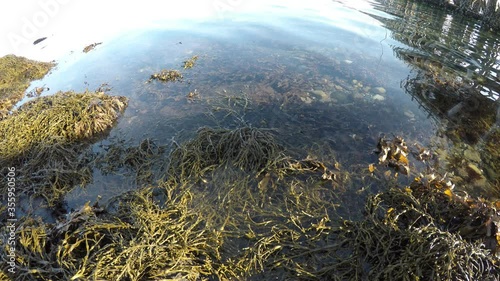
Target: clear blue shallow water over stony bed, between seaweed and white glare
330, 72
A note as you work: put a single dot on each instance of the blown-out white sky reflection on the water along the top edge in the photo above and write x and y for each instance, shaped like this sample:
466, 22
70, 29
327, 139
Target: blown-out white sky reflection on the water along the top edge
70, 25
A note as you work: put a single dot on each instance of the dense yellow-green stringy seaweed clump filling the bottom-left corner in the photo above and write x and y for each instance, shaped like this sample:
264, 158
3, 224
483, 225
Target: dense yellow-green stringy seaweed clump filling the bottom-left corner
137, 239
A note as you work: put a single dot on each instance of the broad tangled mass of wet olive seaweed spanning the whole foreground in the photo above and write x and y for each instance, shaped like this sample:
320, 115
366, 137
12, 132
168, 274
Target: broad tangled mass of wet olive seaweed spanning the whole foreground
235, 204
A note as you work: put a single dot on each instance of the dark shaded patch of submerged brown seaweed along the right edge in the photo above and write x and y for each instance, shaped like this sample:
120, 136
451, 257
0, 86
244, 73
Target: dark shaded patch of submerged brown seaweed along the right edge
470, 120
